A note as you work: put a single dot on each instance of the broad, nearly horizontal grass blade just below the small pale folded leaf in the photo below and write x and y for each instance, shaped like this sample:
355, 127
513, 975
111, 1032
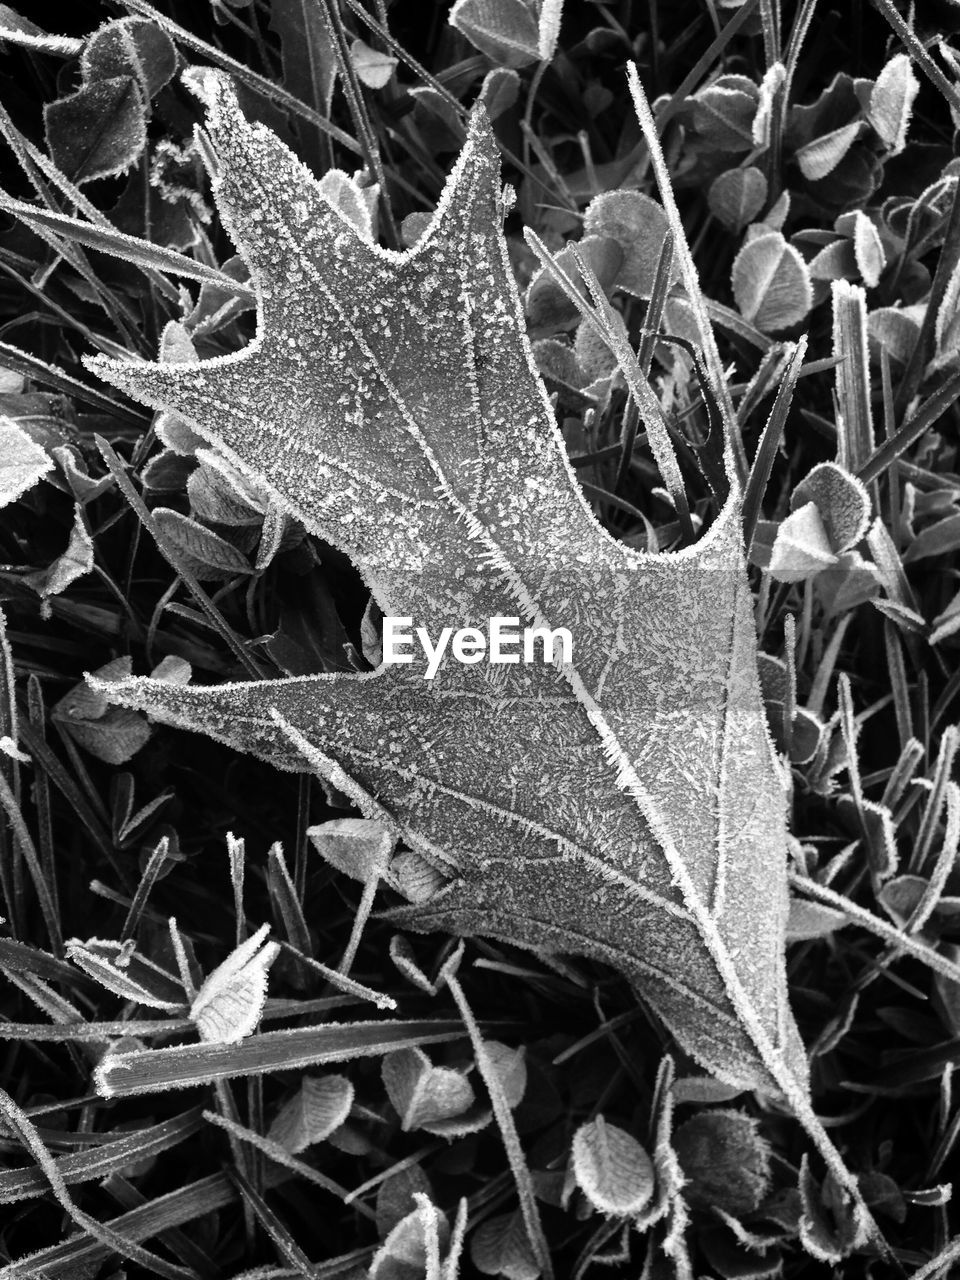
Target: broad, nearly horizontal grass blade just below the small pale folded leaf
184, 1067
